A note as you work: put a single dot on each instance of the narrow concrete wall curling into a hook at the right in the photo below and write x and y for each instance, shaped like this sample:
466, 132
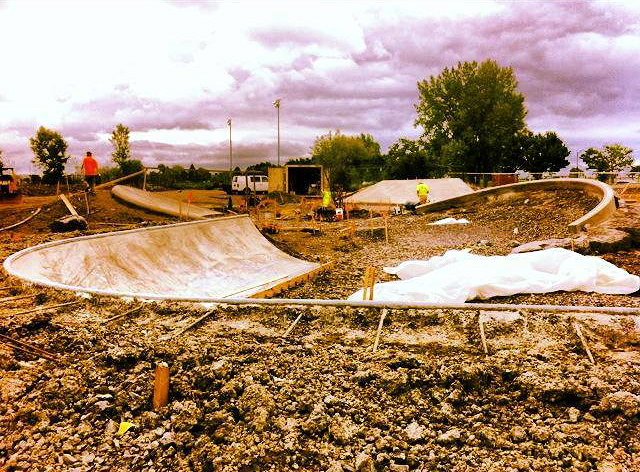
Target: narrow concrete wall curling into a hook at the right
601, 212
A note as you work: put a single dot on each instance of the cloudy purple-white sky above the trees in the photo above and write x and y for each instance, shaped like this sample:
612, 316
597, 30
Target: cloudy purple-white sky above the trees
174, 71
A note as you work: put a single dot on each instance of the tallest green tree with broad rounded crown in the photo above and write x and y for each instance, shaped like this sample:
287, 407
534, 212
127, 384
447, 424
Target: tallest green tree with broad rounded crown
472, 115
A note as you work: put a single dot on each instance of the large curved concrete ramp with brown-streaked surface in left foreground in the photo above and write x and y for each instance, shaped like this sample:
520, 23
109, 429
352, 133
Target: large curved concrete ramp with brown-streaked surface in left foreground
193, 261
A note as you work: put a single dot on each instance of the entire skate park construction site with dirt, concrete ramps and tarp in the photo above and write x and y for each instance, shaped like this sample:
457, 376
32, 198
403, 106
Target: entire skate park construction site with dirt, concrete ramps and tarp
491, 329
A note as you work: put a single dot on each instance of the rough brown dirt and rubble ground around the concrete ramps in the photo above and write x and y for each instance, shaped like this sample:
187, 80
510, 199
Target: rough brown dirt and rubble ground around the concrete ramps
243, 398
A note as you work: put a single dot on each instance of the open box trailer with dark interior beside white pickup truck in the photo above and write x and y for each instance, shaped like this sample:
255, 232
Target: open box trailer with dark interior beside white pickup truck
298, 179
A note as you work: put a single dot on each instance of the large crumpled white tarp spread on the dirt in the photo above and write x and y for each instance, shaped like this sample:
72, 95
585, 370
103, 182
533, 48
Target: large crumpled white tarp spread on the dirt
458, 276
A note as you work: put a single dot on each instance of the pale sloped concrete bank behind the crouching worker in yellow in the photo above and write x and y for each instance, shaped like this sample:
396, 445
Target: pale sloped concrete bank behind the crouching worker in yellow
400, 192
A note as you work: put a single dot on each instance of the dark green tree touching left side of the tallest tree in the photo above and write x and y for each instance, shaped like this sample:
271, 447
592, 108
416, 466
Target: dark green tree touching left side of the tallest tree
409, 159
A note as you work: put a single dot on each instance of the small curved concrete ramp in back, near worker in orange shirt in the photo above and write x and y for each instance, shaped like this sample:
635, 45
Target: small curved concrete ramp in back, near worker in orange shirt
161, 204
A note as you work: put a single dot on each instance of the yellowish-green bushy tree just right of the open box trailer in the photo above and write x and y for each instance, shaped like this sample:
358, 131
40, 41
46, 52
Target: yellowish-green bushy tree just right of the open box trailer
347, 159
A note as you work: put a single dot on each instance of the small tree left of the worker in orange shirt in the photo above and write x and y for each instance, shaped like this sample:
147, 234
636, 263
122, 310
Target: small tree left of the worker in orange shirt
50, 151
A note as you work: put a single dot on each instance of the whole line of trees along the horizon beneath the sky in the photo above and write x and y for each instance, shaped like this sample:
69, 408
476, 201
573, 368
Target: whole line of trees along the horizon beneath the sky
472, 118
